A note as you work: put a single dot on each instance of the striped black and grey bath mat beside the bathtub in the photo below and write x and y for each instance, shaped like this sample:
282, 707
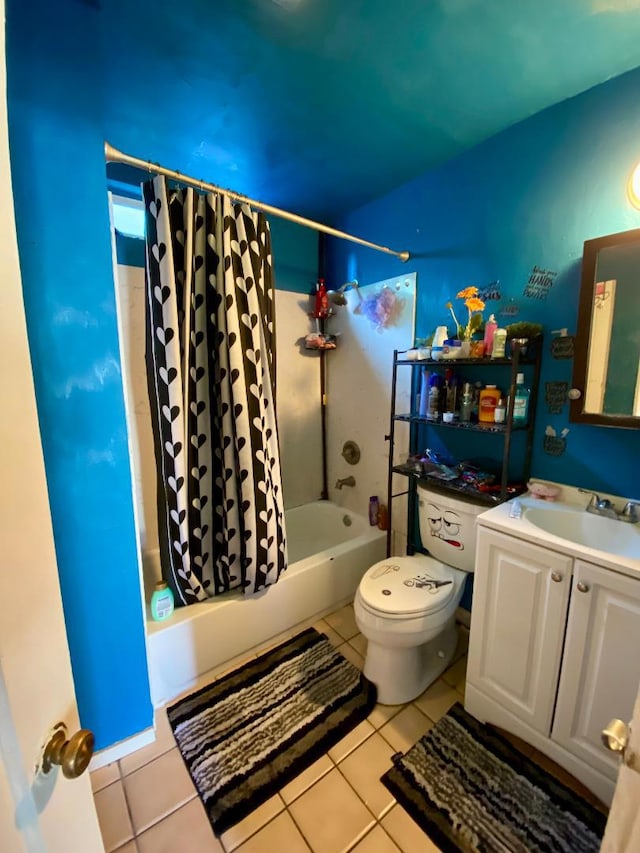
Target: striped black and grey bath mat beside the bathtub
246, 735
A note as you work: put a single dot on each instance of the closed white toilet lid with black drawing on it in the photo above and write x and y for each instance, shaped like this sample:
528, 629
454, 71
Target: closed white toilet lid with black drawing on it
415, 584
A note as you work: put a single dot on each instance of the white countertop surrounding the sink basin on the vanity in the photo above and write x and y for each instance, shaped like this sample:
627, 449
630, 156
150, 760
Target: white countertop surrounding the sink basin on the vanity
498, 518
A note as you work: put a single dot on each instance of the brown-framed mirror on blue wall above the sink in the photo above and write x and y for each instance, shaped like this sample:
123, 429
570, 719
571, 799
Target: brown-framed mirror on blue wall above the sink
607, 347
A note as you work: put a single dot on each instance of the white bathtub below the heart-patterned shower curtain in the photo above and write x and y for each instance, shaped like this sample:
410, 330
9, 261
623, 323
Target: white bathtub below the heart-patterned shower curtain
329, 550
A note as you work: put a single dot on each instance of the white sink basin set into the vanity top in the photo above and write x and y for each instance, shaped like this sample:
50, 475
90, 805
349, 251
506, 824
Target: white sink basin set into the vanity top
585, 528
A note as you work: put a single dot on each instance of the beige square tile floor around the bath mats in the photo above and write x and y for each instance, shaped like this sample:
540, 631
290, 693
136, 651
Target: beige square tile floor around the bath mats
146, 802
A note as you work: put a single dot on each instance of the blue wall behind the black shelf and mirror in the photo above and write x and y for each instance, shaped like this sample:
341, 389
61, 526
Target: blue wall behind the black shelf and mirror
529, 196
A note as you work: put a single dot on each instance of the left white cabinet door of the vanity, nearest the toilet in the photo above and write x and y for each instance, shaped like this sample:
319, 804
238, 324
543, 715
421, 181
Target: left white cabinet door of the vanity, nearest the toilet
517, 625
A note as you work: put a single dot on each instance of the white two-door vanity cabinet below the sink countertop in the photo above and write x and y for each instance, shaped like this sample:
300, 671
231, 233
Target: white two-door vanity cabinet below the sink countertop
554, 652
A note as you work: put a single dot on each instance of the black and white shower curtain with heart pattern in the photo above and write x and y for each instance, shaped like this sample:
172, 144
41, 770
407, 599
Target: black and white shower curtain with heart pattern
211, 371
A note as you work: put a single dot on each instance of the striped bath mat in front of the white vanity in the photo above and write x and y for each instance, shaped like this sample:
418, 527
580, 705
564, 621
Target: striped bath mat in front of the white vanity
470, 790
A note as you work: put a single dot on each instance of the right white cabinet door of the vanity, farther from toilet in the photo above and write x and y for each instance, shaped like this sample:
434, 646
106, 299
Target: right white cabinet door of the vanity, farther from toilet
601, 664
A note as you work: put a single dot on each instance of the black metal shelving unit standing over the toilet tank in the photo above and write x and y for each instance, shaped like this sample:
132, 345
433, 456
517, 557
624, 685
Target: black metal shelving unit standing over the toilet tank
415, 472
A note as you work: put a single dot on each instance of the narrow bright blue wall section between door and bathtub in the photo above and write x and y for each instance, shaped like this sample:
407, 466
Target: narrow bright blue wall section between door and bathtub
56, 139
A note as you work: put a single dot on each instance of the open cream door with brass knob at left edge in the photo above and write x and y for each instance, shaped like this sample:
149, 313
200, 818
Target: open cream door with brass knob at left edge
50, 812
